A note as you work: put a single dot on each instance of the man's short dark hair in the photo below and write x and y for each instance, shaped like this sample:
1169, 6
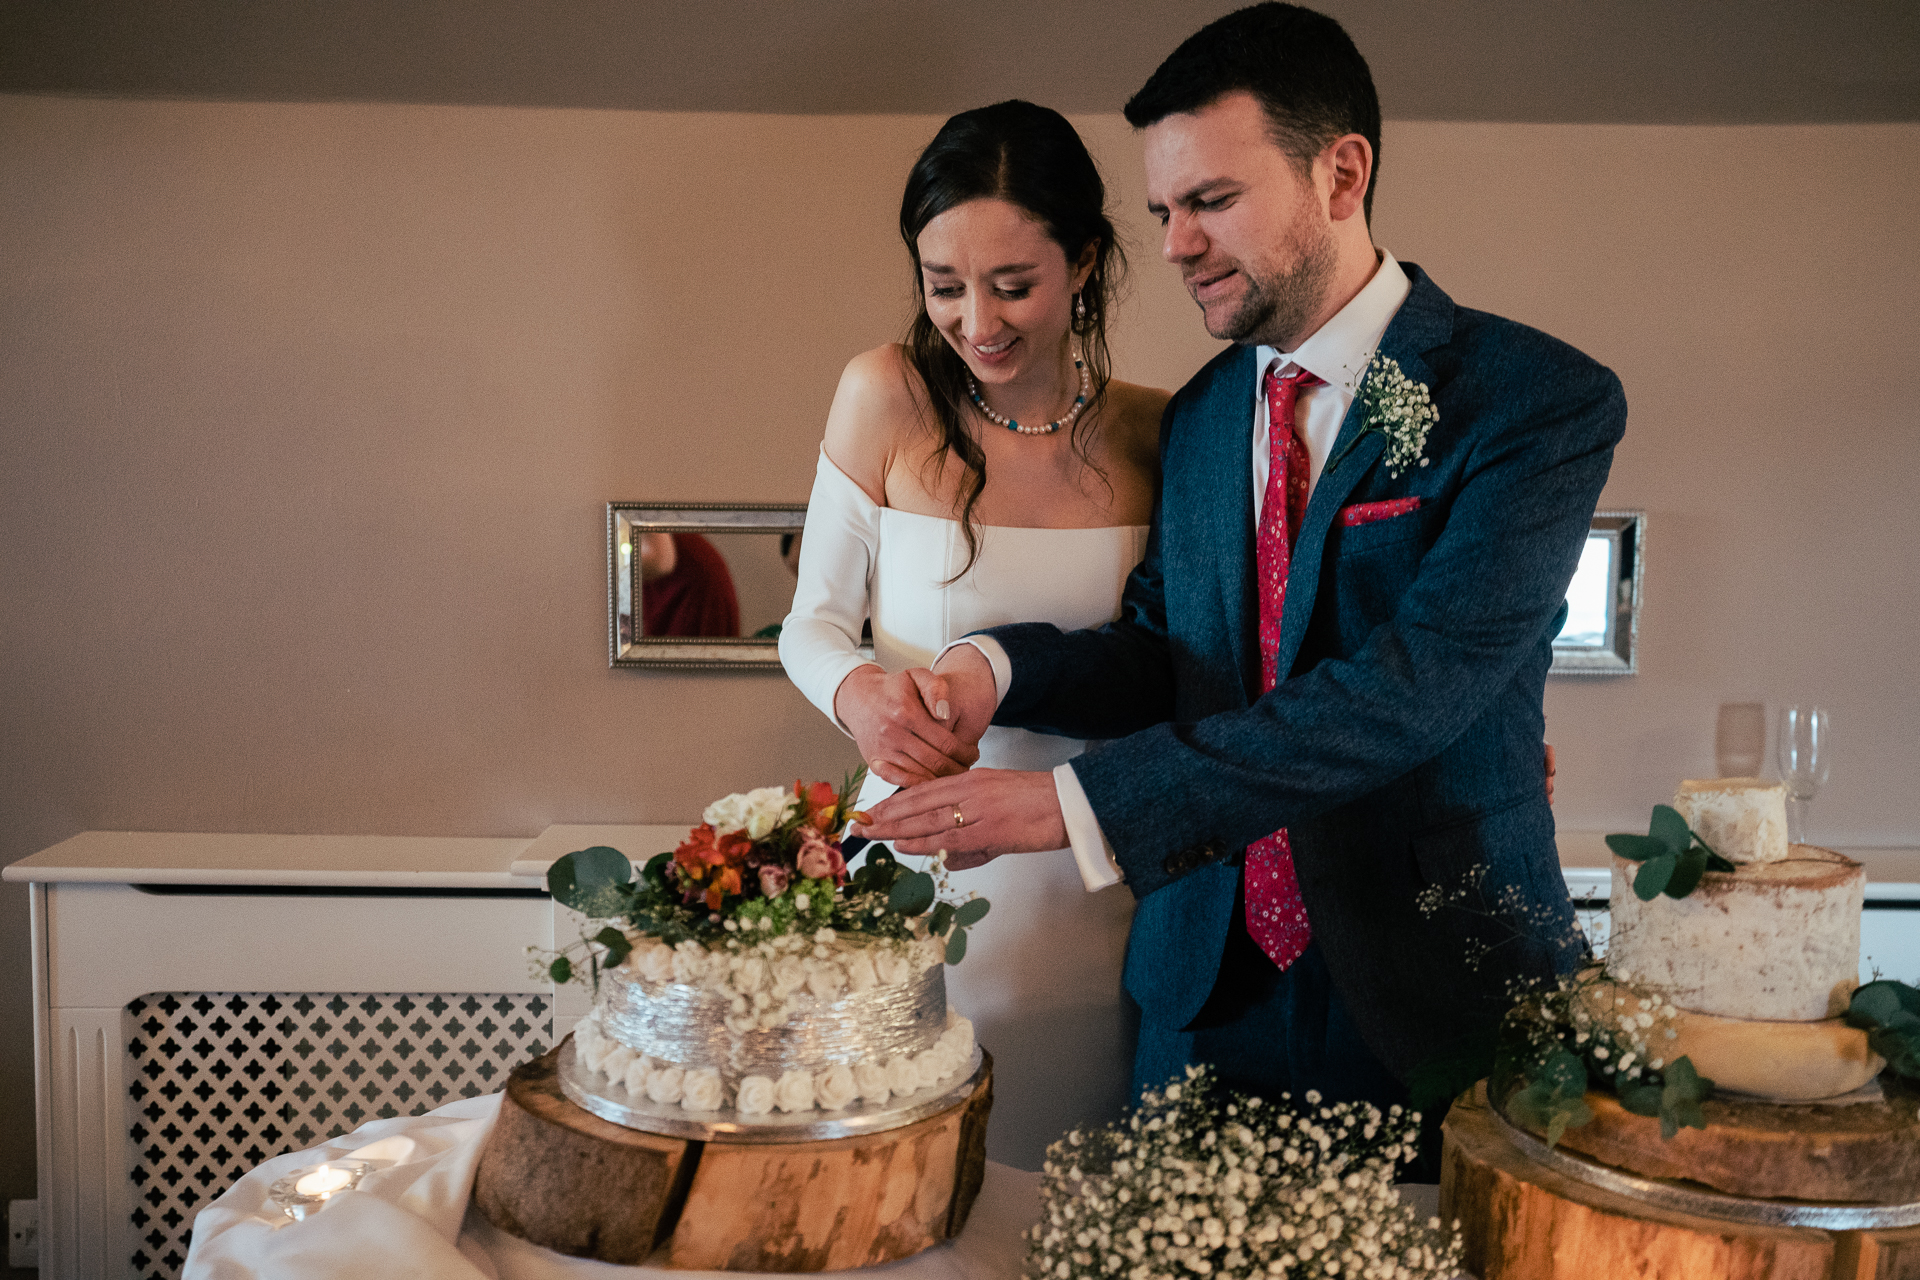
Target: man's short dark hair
1299, 64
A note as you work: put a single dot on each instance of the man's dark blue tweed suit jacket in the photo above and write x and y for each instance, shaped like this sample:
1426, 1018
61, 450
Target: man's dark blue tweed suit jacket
1404, 747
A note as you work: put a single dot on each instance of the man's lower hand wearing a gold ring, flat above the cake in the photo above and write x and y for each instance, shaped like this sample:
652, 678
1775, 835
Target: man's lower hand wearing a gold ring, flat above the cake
974, 817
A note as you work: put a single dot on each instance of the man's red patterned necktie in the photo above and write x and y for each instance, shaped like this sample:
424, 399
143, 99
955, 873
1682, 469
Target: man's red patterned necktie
1276, 918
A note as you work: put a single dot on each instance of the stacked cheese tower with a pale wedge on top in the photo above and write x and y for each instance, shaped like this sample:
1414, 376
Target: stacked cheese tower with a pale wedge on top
1760, 962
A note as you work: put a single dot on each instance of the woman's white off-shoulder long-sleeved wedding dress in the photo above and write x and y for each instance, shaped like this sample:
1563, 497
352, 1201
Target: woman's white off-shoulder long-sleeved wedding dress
1042, 974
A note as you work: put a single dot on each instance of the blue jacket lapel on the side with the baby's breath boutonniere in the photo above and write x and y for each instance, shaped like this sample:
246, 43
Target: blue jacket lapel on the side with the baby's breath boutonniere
1424, 323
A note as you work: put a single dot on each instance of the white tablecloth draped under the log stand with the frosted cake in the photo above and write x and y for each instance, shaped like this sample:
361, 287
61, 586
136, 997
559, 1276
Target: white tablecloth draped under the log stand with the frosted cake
410, 1218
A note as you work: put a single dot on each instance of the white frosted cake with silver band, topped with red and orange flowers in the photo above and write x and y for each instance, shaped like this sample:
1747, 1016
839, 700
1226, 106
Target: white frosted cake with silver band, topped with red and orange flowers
754, 970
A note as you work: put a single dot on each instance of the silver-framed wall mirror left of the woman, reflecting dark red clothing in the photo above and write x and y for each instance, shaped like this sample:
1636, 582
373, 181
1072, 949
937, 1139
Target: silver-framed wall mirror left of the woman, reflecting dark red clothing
700, 584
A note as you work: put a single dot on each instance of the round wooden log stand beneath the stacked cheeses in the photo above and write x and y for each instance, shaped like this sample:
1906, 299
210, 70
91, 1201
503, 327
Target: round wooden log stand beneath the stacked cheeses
1712, 1202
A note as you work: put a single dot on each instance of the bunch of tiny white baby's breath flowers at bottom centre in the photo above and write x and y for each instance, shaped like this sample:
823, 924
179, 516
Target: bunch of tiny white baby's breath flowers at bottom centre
1207, 1183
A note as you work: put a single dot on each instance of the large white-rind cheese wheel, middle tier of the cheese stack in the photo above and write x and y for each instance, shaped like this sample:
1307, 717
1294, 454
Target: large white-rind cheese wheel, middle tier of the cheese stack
1775, 941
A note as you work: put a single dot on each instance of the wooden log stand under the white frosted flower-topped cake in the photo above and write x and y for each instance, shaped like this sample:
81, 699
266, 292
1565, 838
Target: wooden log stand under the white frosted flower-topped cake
579, 1185
